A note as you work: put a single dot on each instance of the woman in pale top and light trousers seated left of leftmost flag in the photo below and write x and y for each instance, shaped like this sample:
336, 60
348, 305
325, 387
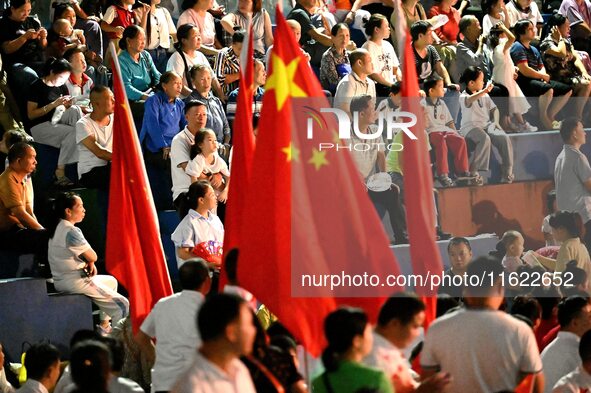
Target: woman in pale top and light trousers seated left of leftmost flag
72, 261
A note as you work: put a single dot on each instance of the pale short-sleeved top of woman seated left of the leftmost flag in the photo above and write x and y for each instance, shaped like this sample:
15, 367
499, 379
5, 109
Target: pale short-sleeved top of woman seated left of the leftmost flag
64, 249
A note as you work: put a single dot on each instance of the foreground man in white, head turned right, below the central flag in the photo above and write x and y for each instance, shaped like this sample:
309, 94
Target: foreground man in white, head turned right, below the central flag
226, 327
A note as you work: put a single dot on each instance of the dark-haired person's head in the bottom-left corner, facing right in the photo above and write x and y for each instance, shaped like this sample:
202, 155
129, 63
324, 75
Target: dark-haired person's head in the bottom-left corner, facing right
42, 362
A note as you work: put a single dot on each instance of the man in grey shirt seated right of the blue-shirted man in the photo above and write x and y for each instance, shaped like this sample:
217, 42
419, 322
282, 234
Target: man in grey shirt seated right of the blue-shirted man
216, 117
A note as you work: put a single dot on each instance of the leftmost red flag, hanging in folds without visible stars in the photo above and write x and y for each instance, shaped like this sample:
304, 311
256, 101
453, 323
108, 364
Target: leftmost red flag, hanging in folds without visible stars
134, 253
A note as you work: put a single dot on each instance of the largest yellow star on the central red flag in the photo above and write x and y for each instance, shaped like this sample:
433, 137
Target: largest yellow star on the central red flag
281, 80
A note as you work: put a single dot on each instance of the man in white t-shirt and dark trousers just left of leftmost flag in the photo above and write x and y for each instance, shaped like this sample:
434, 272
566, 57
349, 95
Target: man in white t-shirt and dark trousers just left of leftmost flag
94, 136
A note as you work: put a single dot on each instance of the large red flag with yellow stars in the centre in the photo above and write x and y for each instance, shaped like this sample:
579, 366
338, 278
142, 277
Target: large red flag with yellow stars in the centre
309, 217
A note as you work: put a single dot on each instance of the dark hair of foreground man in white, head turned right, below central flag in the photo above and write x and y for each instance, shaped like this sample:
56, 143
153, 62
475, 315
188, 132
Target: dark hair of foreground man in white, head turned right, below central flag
216, 313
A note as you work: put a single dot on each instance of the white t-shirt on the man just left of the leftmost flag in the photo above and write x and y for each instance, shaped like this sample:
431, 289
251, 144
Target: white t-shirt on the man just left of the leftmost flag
86, 127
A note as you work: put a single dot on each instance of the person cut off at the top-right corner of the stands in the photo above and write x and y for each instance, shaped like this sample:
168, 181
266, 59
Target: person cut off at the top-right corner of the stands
578, 13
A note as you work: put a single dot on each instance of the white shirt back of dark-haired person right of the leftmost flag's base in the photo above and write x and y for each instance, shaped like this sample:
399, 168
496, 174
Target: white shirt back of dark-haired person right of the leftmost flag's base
172, 323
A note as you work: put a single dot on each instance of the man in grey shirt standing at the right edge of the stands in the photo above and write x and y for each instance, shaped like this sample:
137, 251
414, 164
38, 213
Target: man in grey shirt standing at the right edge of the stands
572, 174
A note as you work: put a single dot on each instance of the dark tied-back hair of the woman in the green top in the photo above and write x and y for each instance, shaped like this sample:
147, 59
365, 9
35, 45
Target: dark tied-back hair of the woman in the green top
340, 328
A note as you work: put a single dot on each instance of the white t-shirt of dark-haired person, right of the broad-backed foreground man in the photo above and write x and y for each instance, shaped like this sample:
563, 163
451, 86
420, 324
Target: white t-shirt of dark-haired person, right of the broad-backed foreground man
559, 358
